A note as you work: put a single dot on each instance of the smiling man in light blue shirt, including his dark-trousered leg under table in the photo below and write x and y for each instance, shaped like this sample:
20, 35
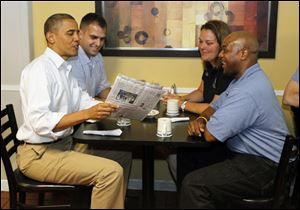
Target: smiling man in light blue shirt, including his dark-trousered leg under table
89, 71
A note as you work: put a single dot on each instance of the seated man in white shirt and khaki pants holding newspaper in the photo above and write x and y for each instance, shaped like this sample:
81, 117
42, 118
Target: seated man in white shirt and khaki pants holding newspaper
52, 103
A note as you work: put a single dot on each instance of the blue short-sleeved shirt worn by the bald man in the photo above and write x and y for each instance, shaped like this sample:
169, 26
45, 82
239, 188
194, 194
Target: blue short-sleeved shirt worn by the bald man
249, 117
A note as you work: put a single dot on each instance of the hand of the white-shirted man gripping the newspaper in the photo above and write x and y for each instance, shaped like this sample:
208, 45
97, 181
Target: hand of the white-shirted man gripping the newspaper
101, 111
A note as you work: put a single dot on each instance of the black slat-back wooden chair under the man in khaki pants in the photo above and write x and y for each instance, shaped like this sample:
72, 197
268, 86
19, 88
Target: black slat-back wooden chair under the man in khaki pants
19, 184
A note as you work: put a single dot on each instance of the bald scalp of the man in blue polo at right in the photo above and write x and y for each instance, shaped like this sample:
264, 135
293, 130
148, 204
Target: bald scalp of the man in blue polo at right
244, 40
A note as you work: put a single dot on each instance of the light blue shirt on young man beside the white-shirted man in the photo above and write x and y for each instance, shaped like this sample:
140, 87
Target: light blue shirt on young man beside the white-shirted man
89, 72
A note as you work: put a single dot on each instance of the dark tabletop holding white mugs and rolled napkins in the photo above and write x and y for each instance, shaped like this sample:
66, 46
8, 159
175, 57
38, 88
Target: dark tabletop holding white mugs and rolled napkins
141, 132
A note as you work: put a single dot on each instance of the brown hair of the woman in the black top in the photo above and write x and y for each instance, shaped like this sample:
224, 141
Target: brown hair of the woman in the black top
220, 29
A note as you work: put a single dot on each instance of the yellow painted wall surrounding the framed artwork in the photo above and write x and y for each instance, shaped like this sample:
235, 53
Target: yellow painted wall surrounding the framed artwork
185, 72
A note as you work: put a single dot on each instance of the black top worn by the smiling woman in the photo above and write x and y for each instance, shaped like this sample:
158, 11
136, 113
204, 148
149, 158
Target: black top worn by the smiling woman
215, 82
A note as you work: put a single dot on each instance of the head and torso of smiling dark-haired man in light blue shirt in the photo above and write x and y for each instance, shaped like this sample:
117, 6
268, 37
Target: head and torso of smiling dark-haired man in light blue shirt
88, 66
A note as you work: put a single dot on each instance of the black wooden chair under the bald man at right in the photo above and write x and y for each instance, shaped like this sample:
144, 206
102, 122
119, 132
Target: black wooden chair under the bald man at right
283, 183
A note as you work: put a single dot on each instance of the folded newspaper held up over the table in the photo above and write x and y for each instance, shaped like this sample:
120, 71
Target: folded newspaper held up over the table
135, 98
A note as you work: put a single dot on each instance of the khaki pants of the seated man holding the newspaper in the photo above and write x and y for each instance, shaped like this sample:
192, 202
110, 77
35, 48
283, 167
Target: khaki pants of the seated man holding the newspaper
58, 164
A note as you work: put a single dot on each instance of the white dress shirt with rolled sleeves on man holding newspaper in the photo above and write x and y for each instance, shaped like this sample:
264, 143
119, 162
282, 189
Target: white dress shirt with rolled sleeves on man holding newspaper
47, 94
